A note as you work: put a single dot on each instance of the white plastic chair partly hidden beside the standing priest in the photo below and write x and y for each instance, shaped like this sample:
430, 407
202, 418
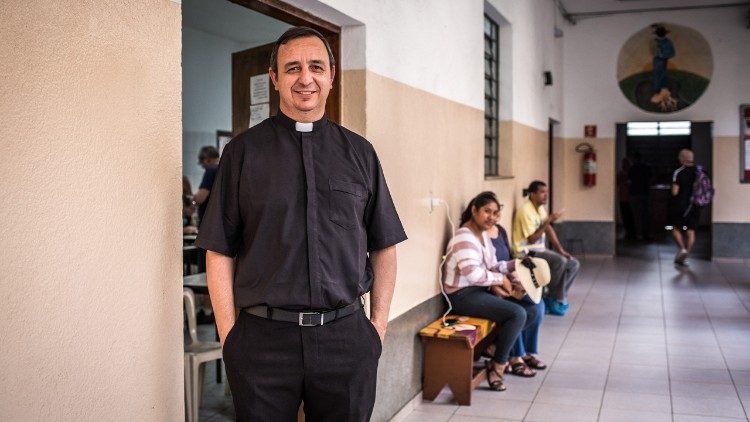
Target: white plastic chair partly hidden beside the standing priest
196, 353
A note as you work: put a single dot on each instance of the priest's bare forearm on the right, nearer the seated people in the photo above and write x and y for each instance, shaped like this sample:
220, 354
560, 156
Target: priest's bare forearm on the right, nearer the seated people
384, 273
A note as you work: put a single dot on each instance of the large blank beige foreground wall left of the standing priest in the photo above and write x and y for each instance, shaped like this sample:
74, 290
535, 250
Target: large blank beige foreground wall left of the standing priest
92, 326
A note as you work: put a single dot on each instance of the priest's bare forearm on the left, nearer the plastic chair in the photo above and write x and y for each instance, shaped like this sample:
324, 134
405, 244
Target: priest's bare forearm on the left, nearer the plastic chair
220, 277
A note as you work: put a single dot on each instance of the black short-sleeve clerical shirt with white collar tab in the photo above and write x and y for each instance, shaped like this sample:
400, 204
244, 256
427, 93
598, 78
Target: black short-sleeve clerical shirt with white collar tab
299, 210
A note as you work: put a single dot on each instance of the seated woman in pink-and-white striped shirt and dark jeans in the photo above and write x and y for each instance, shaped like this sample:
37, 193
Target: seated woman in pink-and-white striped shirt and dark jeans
471, 268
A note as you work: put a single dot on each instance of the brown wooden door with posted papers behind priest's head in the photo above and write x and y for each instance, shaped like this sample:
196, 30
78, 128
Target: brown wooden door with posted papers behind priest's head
255, 62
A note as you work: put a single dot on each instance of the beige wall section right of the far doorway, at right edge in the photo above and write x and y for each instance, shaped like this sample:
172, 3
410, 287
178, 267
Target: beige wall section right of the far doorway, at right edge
732, 199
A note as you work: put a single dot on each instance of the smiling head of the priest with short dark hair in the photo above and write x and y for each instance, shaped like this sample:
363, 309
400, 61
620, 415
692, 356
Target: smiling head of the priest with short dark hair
304, 78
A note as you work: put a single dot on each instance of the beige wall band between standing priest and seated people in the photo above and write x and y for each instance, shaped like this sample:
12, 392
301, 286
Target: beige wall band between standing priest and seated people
429, 145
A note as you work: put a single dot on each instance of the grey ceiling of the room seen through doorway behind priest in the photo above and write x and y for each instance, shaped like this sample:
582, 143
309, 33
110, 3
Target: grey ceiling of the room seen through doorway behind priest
228, 20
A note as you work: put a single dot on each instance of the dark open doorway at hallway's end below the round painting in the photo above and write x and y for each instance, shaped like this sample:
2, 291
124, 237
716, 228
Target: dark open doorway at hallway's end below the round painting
643, 191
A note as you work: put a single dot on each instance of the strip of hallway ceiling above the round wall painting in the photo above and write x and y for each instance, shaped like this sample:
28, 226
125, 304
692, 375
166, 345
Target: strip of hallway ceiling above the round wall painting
584, 9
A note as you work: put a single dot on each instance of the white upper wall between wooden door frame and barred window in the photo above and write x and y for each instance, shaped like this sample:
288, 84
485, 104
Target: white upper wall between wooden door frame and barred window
421, 43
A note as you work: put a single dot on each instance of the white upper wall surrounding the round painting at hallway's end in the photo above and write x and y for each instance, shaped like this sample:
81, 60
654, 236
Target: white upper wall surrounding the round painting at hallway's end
591, 92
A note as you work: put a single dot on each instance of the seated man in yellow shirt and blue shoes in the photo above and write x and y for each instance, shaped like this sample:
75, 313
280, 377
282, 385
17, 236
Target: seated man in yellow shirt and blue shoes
531, 227
